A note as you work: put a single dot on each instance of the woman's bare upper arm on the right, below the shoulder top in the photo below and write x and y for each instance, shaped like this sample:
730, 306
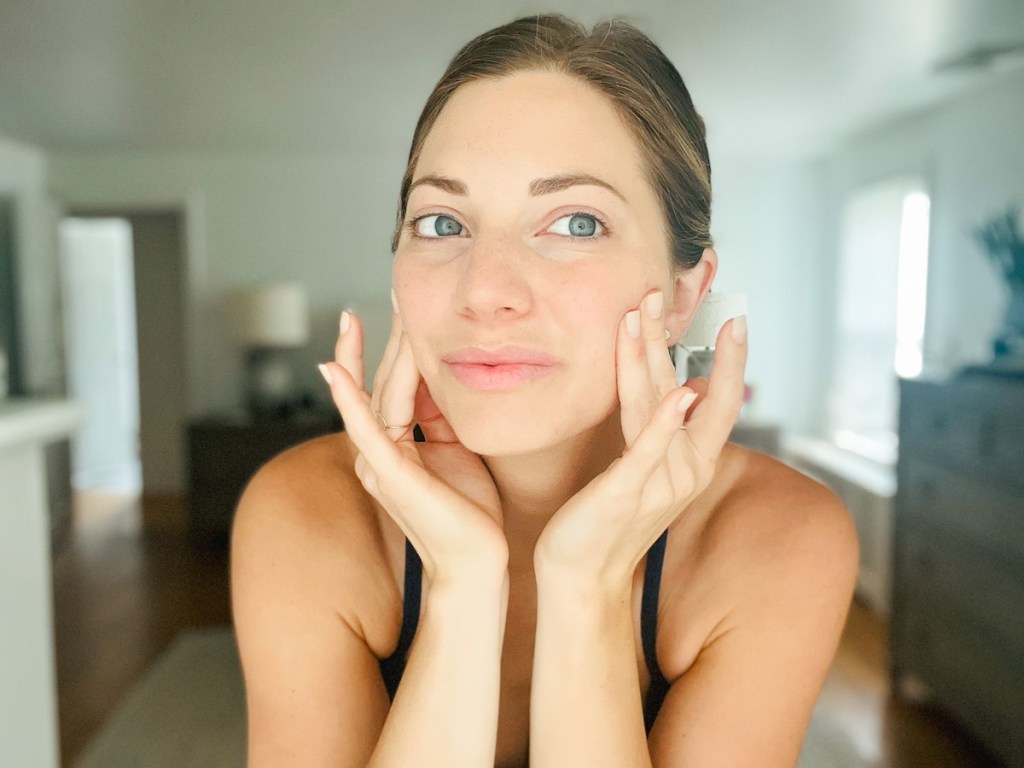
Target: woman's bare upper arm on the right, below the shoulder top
749, 697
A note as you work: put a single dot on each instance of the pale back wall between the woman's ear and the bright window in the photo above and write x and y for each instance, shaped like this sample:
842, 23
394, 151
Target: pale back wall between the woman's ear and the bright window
767, 222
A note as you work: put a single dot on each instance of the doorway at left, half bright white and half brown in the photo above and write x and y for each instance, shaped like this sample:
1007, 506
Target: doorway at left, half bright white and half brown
123, 284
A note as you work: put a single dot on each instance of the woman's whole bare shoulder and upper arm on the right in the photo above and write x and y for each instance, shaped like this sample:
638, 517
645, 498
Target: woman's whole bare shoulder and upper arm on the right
774, 566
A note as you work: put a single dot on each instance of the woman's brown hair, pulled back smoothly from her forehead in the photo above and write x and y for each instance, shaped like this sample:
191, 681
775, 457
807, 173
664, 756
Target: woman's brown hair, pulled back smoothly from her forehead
639, 80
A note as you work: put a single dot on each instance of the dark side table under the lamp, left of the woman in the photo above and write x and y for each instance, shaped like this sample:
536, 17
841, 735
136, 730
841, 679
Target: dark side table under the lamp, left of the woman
226, 451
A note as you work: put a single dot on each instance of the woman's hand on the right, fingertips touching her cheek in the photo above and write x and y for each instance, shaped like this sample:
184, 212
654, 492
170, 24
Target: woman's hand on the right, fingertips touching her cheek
606, 530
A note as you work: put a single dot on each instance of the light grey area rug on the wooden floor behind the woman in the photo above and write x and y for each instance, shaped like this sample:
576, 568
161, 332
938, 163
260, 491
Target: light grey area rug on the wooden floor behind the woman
190, 712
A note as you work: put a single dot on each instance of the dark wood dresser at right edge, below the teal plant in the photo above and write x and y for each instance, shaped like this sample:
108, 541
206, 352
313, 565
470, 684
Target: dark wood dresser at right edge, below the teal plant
958, 603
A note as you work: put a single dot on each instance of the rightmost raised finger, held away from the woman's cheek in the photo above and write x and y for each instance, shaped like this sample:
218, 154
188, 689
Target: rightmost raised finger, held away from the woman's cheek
713, 420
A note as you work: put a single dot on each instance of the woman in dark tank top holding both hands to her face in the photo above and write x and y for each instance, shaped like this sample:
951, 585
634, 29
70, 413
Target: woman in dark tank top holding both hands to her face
605, 583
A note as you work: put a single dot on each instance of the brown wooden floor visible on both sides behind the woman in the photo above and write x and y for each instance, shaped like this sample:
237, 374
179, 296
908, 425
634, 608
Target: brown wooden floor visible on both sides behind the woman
126, 581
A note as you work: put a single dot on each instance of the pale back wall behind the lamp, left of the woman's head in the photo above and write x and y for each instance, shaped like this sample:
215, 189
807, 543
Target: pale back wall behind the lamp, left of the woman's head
325, 221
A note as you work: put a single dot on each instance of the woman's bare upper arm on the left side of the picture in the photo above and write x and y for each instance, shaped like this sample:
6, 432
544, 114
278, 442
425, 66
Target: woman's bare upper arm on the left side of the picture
314, 692
